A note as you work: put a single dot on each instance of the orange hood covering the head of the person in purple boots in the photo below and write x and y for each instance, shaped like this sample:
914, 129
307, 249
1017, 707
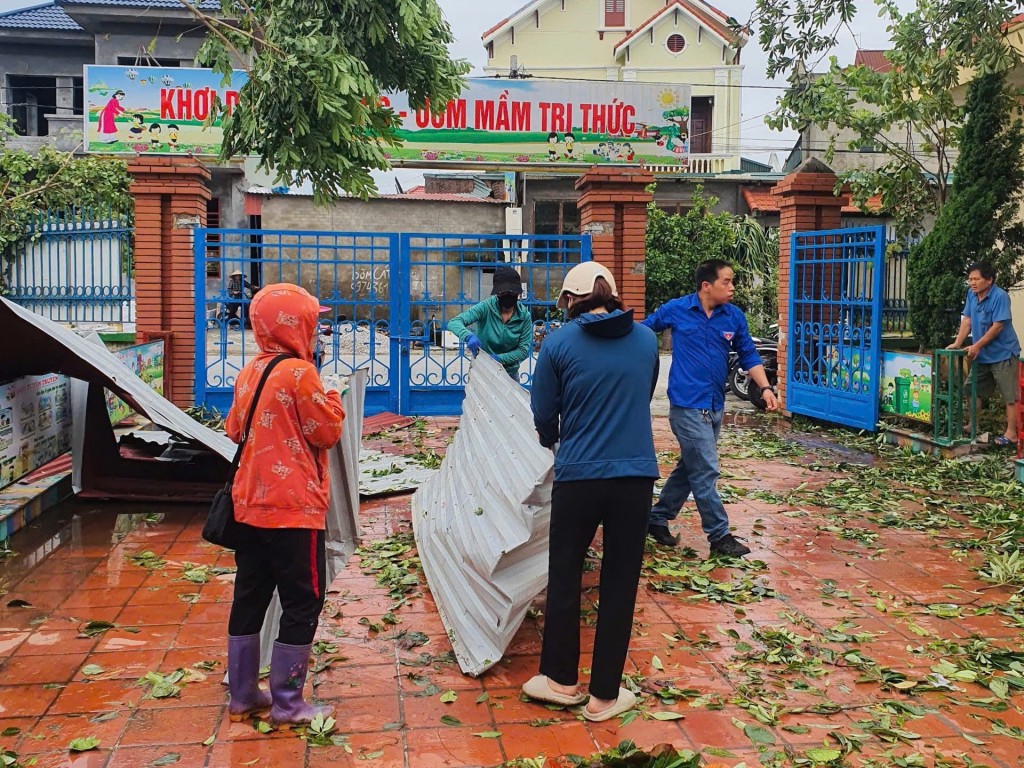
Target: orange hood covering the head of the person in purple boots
284, 318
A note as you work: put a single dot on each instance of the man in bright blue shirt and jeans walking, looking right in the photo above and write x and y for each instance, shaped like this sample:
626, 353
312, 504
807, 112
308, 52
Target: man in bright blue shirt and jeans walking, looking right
705, 327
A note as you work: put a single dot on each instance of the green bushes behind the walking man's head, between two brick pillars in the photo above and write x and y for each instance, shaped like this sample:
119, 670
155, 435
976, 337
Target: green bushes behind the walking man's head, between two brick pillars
676, 245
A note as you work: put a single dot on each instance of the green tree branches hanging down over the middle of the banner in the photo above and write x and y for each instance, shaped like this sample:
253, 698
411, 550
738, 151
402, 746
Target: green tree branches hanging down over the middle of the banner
312, 109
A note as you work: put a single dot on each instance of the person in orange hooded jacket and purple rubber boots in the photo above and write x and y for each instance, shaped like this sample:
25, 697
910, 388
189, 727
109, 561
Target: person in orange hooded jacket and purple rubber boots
281, 495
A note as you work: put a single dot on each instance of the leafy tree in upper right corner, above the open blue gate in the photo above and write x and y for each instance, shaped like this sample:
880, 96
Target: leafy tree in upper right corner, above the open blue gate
911, 112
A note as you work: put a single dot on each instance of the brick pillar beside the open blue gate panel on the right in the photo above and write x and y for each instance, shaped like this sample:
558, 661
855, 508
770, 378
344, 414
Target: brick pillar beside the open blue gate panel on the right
806, 202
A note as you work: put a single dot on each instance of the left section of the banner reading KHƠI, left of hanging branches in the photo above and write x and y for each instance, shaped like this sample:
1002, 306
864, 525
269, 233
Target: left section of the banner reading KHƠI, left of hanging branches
155, 110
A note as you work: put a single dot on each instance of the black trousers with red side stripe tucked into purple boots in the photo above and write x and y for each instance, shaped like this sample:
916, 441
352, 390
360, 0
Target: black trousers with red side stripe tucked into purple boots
294, 563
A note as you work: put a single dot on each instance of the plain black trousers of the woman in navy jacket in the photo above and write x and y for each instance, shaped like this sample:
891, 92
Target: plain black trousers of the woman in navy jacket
622, 506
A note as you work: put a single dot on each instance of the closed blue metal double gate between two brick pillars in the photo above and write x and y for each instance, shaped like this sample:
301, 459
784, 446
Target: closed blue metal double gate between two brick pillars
390, 297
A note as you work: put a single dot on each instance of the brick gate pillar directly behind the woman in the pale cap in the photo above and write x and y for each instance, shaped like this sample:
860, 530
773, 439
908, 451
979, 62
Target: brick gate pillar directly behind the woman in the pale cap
614, 210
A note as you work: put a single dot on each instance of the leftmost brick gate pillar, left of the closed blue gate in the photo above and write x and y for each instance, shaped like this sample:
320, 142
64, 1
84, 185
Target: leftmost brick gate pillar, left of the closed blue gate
170, 200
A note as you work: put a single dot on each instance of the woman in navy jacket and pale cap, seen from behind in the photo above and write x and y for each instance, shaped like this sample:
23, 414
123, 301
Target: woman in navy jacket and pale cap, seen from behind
591, 401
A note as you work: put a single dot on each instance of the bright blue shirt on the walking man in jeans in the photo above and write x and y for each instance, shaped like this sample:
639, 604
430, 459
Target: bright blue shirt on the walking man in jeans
701, 350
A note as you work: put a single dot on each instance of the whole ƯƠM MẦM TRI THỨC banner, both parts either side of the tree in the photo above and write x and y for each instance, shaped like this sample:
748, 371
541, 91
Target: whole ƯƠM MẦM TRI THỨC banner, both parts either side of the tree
162, 111
